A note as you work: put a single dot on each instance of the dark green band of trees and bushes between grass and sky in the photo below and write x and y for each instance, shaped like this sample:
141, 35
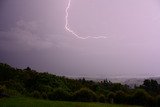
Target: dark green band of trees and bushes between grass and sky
30, 83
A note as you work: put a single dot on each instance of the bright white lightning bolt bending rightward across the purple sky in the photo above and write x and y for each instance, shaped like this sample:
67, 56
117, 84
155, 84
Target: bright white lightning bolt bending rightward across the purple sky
71, 31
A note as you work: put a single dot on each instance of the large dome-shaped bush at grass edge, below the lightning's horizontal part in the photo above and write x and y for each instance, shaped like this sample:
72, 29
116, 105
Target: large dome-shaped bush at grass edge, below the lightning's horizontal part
85, 95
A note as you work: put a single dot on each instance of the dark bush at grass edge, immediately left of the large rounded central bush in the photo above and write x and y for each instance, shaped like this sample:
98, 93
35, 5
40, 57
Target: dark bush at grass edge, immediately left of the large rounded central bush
59, 94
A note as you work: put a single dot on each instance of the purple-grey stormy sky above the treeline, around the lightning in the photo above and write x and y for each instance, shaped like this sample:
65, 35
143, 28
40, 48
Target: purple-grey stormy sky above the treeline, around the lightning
32, 33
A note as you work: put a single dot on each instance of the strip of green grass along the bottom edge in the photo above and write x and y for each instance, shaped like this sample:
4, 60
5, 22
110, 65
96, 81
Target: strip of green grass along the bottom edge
30, 102
